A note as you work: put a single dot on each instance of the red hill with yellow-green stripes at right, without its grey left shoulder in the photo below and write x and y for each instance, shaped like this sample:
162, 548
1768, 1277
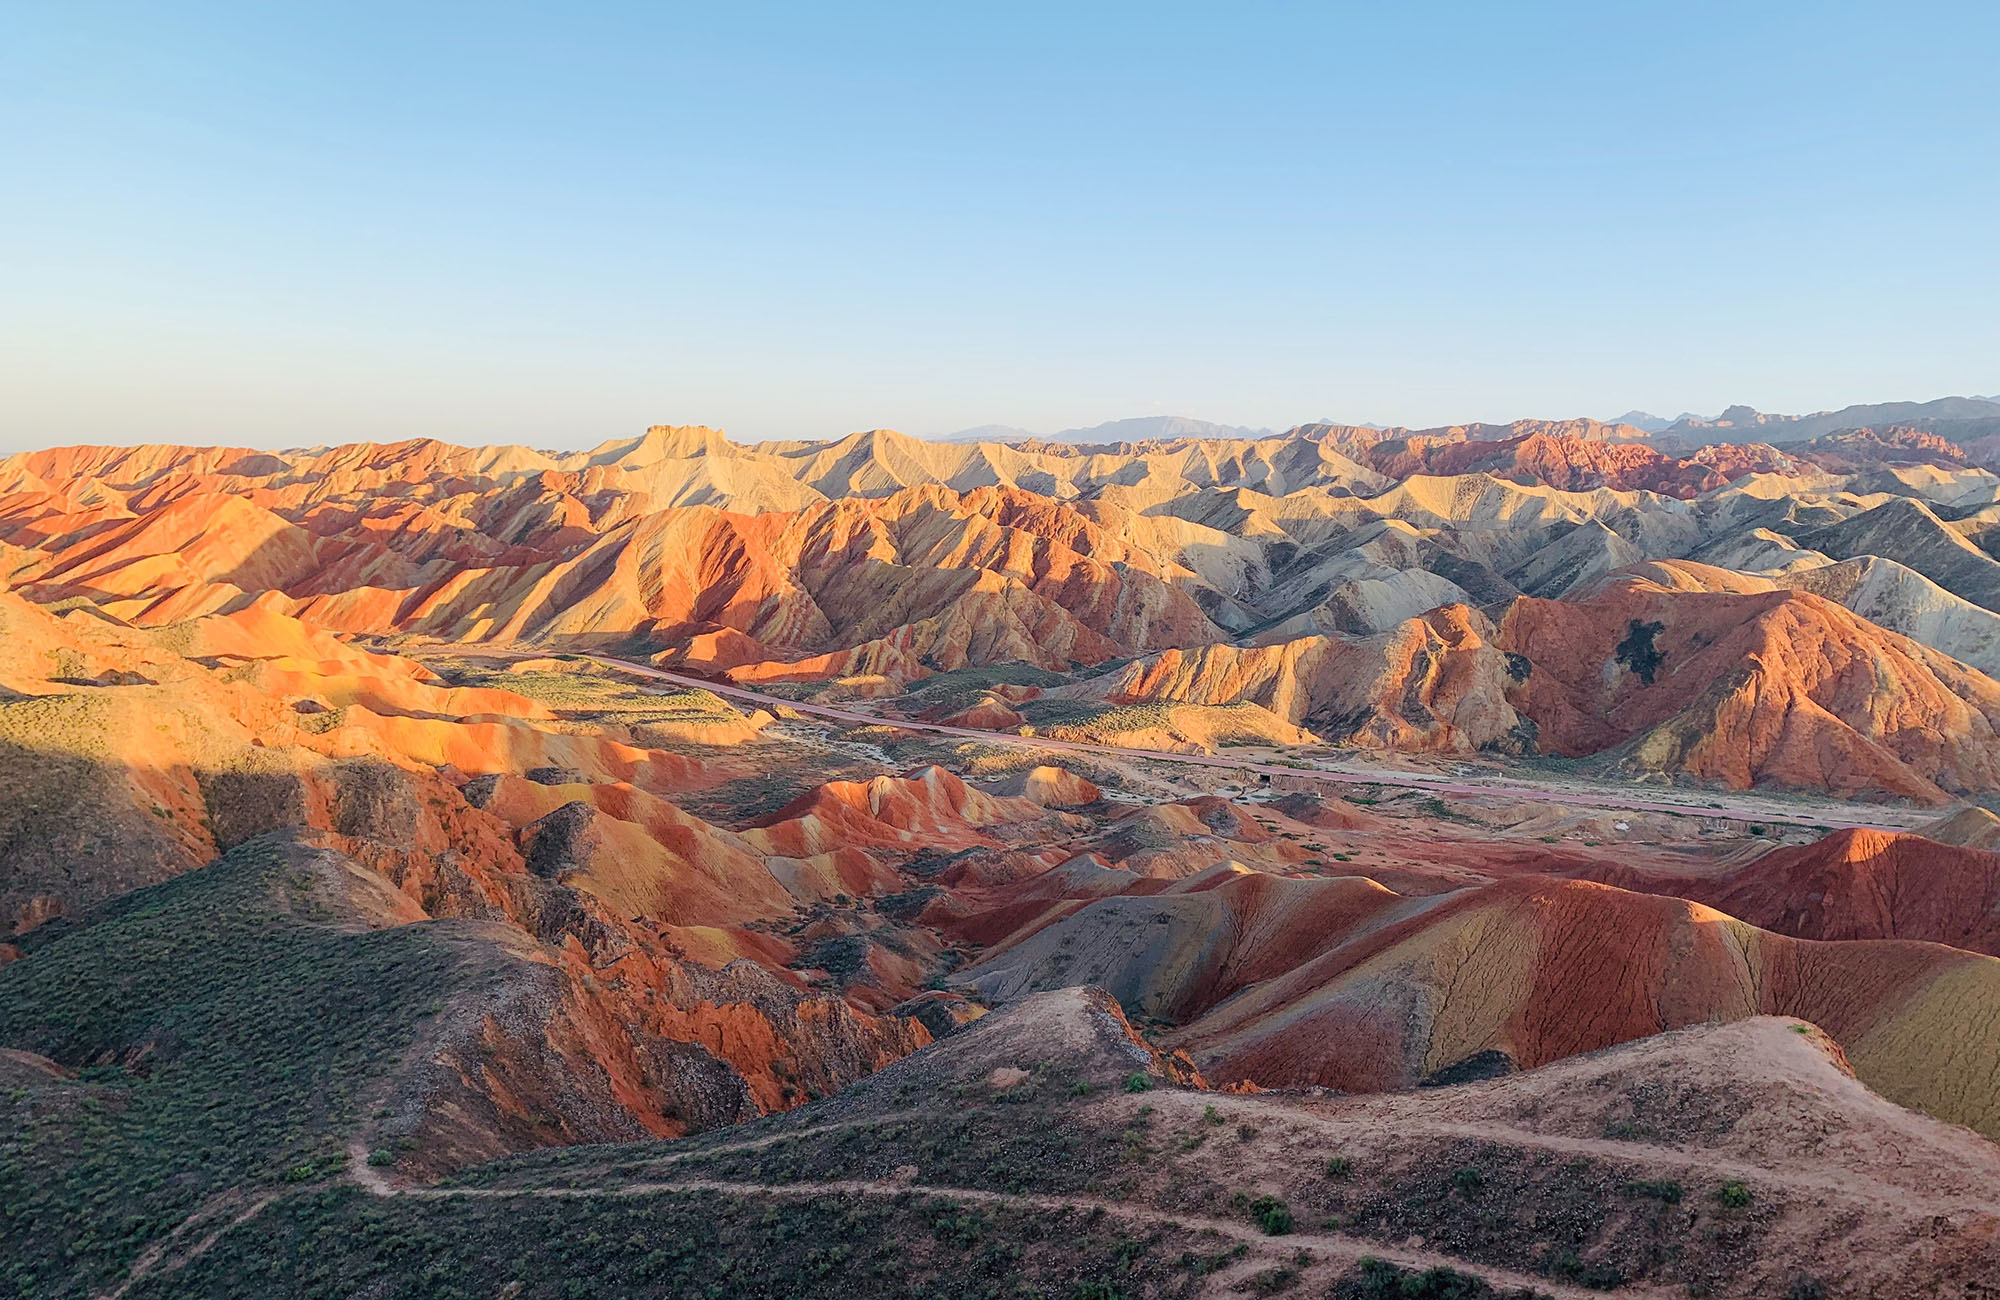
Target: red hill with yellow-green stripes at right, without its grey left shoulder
1537, 971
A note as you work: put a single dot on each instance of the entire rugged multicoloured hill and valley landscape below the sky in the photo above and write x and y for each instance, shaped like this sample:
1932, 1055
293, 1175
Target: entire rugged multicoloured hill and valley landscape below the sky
1539, 859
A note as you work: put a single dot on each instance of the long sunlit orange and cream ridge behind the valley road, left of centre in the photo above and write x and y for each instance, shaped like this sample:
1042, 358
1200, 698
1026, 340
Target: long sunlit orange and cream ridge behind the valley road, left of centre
865, 587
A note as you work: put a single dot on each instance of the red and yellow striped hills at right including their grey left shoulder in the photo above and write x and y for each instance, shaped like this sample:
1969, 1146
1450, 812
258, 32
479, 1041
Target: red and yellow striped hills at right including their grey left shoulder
1345, 985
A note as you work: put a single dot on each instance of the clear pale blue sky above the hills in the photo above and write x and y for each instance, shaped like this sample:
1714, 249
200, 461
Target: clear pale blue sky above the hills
285, 225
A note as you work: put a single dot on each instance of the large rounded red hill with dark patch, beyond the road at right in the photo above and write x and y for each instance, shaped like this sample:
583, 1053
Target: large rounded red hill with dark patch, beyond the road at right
1751, 689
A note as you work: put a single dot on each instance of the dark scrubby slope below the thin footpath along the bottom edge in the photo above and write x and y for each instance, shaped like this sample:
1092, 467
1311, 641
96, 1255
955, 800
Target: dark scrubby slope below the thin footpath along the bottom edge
675, 1247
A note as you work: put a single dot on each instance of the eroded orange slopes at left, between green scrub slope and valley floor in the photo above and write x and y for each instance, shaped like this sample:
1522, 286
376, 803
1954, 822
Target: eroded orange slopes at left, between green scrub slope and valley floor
643, 999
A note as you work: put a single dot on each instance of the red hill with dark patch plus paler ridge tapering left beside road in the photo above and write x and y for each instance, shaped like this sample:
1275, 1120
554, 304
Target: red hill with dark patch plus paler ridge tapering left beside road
1745, 689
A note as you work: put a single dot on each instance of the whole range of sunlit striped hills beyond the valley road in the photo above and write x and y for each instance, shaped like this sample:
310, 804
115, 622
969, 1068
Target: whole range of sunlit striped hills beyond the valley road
1283, 573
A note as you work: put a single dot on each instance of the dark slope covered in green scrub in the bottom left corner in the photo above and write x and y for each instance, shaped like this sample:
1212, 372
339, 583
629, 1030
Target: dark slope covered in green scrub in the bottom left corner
227, 1043
